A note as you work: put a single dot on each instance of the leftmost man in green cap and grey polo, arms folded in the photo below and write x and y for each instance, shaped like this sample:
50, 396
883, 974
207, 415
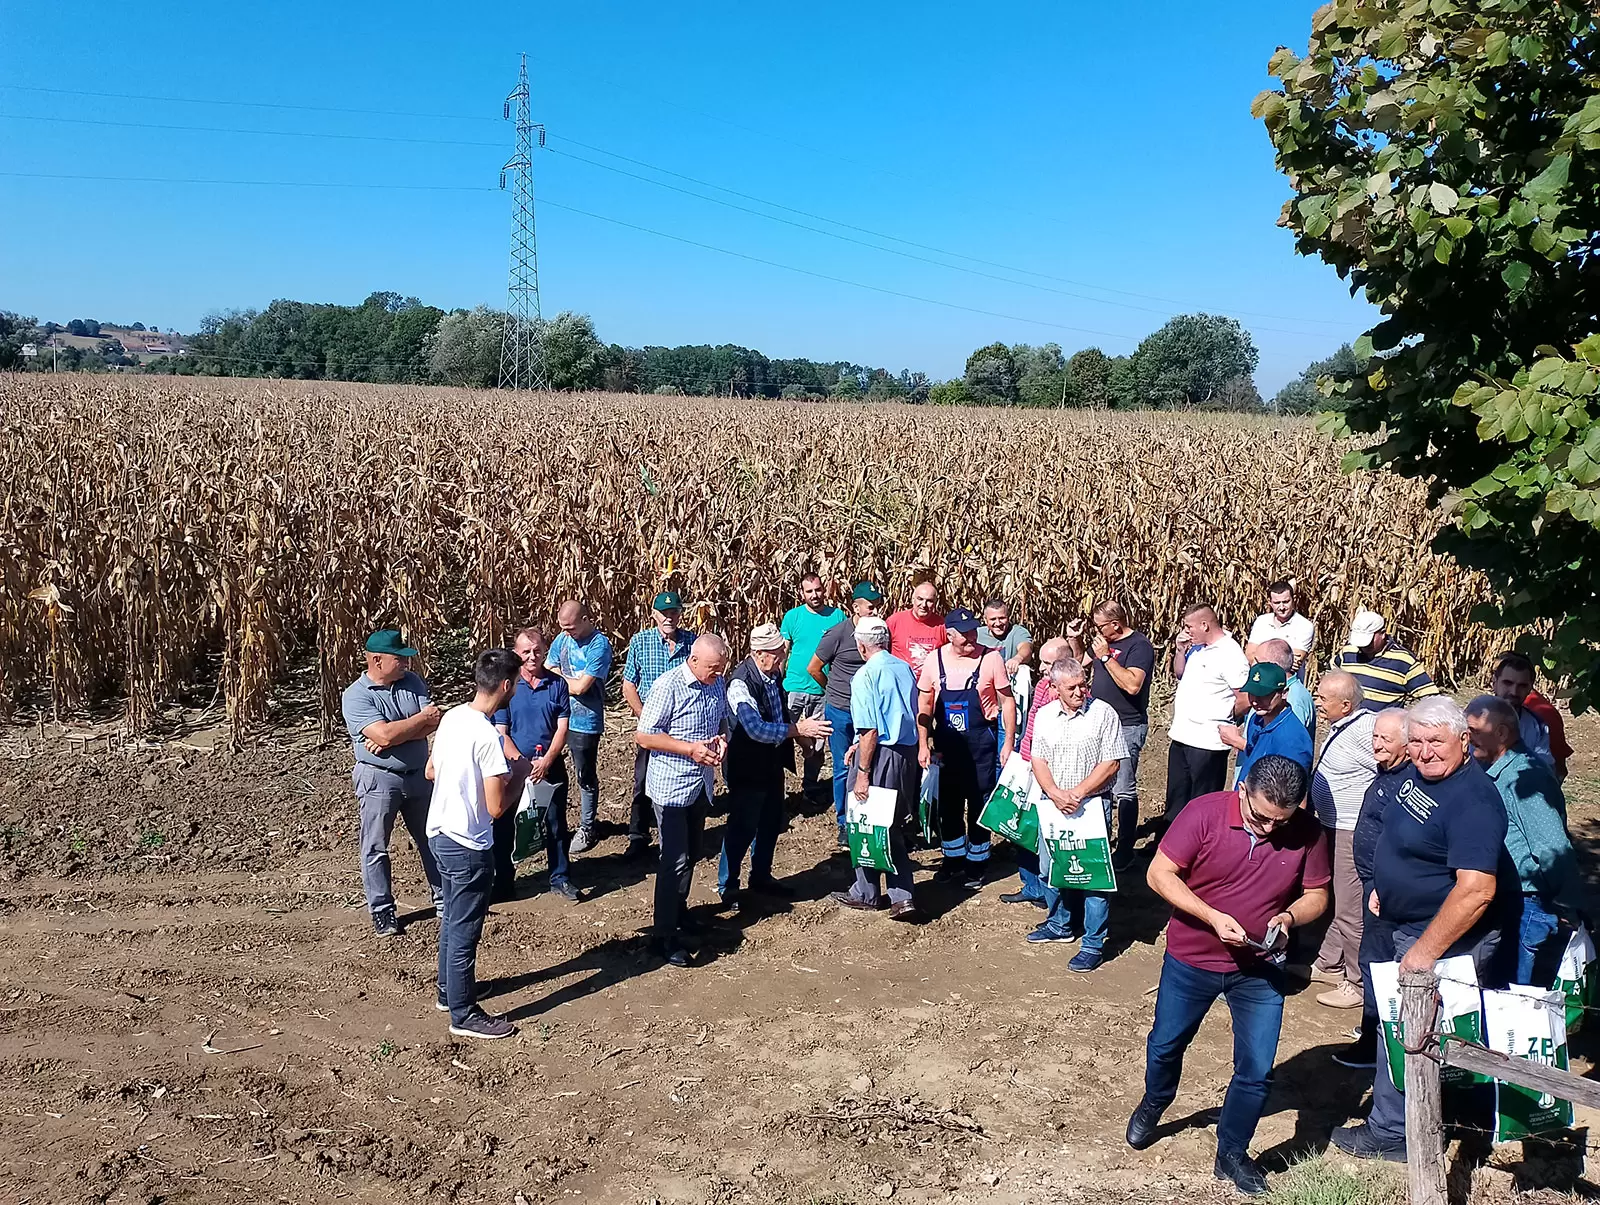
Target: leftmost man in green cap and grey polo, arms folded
391, 715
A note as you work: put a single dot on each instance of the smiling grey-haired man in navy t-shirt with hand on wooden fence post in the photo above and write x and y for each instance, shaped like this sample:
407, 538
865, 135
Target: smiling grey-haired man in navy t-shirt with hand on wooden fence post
1438, 878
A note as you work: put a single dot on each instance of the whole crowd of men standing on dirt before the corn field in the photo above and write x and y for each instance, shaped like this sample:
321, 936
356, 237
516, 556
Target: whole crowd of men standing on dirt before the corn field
1426, 830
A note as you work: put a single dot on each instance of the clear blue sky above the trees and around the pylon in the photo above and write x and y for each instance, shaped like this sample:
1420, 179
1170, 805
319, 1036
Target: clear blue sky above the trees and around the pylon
1102, 145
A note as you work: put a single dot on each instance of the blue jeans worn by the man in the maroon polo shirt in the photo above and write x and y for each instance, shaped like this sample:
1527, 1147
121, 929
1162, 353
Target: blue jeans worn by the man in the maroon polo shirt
1255, 1001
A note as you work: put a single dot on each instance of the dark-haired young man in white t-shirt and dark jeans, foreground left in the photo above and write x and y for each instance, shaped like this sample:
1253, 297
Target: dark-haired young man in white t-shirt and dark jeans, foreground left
470, 774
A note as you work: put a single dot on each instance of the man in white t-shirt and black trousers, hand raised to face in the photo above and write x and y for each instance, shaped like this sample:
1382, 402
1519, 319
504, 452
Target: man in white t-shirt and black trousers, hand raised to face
1210, 670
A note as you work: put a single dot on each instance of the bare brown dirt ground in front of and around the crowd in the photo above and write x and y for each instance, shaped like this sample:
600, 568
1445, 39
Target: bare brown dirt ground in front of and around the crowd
194, 1009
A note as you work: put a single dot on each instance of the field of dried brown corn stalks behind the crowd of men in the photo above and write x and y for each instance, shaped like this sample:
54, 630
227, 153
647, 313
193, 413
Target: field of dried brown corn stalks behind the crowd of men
166, 532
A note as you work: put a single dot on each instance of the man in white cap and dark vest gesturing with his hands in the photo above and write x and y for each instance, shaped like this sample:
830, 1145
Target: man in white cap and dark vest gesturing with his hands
761, 747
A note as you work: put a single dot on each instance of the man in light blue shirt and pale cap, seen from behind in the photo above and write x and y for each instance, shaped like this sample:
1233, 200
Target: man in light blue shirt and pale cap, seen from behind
884, 713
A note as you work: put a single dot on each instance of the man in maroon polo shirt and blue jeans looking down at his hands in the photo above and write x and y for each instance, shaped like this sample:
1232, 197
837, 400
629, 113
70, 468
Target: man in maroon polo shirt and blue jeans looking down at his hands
1241, 870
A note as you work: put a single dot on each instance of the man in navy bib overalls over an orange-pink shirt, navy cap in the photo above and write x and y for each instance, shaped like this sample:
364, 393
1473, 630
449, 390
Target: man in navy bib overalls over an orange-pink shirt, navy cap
964, 691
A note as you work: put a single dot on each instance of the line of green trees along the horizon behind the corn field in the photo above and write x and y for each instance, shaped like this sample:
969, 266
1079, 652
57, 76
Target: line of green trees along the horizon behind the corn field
1194, 361
